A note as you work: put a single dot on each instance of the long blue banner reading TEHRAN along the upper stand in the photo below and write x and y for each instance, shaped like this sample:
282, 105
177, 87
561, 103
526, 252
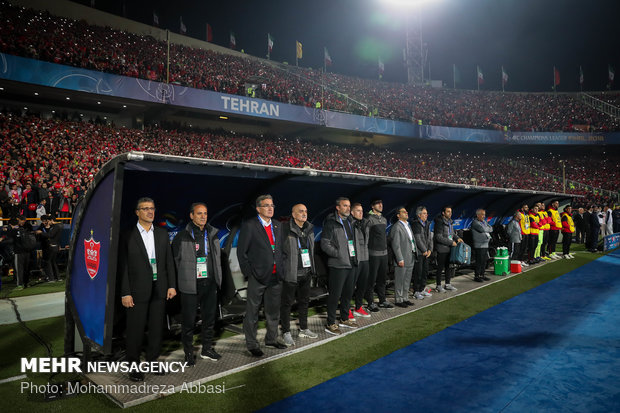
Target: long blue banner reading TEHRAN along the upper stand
42, 73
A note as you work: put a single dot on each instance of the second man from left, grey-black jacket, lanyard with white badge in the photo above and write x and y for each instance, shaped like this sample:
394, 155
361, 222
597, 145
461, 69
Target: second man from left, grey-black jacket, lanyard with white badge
196, 251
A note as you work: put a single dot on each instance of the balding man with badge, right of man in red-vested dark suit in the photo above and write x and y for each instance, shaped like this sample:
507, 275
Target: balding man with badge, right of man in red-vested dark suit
298, 236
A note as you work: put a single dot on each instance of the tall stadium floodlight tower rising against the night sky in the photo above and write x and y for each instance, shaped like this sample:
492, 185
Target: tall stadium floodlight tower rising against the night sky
415, 52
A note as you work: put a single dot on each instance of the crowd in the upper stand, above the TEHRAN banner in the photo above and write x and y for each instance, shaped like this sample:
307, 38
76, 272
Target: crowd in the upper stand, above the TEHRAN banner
39, 35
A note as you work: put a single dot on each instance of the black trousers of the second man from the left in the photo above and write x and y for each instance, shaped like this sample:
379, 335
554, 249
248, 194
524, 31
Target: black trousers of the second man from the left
206, 297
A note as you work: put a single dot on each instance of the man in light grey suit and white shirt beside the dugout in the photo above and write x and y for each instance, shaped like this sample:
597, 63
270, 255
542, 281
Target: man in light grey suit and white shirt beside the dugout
403, 245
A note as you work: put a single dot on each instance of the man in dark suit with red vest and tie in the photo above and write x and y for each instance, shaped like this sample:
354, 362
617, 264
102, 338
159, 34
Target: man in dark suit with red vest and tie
261, 259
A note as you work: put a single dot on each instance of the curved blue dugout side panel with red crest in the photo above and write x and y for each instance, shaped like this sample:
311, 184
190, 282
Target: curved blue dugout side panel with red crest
89, 272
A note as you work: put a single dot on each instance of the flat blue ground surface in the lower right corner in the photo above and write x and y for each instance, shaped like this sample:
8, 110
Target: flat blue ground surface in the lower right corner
555, 348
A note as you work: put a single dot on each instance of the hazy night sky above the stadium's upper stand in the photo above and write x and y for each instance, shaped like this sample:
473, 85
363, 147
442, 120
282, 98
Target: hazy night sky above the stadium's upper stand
527, 37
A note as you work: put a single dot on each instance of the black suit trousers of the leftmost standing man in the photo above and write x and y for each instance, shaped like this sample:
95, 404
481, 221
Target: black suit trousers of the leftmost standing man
145, 313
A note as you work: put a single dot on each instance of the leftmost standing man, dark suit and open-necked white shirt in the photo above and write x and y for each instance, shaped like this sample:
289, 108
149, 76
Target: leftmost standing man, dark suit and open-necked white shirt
147, 280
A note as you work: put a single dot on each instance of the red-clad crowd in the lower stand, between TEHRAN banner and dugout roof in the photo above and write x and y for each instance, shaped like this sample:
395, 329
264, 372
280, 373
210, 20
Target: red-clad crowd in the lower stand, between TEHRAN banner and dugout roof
56, 160
